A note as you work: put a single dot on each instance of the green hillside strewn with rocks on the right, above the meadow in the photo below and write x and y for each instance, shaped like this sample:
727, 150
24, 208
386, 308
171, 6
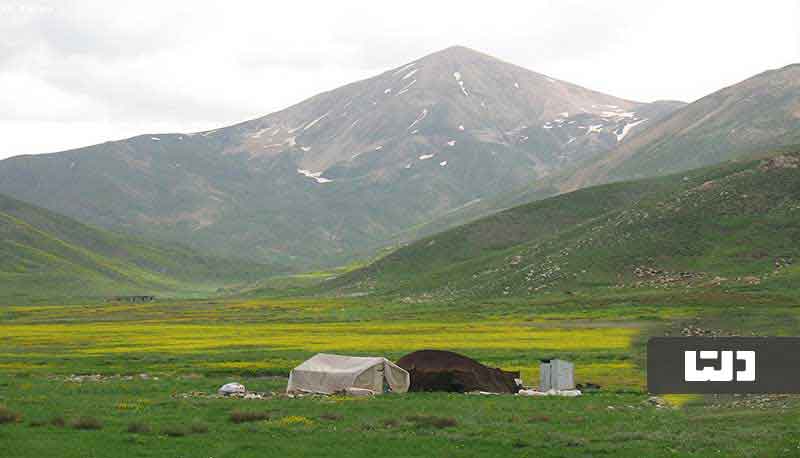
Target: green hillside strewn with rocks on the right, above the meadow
731, 225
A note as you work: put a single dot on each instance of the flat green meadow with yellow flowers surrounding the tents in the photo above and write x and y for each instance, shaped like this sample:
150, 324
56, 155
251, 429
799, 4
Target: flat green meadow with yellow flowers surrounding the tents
187, 346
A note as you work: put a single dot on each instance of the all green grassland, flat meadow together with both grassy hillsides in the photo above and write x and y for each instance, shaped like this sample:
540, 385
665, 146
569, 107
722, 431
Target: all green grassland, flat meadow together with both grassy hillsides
587, 276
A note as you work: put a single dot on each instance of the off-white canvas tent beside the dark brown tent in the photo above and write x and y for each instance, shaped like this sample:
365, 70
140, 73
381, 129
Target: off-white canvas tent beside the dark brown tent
328, 374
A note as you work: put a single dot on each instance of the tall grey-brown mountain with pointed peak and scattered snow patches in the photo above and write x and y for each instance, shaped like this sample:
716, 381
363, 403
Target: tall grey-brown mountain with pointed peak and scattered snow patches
337, 176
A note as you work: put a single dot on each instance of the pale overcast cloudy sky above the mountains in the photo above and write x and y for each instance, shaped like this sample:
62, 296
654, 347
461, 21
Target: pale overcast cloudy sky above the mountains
74, 73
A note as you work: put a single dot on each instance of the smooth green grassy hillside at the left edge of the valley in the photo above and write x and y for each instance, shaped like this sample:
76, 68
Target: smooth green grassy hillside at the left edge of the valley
43, 254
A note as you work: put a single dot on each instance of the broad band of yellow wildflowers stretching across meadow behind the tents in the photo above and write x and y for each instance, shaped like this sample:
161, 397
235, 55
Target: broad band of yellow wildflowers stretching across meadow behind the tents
111, 338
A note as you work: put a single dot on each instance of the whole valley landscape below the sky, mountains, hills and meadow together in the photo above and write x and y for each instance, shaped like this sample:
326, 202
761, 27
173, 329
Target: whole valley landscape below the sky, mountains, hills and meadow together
454, 202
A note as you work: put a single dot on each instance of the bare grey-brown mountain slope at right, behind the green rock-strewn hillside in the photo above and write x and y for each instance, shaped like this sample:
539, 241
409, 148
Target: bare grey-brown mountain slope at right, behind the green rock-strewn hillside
758, 114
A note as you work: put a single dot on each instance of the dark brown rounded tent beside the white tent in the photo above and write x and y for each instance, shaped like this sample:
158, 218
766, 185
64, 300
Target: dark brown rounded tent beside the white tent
437, 370
